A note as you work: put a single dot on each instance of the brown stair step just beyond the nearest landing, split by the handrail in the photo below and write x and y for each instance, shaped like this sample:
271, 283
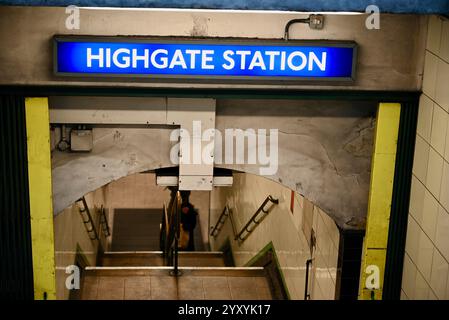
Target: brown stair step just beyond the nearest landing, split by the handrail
154, 258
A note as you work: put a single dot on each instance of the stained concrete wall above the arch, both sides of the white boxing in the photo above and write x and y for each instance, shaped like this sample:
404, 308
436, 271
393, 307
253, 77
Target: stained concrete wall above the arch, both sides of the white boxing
324, 152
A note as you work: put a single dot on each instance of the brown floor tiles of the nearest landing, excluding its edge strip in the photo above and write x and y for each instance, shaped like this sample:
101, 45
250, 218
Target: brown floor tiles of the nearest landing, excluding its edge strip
182, 288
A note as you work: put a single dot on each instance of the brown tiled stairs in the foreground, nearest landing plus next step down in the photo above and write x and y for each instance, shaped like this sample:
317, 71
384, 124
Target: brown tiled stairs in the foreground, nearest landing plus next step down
143, 276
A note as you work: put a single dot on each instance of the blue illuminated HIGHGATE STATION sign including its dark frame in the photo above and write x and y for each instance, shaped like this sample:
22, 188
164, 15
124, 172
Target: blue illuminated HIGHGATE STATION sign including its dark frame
201, 59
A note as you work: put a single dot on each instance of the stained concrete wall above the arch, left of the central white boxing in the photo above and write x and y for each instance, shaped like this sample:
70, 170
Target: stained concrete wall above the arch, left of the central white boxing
117, 152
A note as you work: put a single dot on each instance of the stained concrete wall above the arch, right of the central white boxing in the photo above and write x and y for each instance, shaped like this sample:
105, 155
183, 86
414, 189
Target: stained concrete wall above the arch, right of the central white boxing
325, 149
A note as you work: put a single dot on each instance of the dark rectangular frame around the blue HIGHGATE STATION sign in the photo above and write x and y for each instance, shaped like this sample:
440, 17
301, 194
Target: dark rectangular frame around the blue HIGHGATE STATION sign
205, 78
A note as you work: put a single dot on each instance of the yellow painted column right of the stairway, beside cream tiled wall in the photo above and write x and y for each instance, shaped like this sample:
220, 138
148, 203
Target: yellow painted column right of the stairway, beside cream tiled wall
379, 203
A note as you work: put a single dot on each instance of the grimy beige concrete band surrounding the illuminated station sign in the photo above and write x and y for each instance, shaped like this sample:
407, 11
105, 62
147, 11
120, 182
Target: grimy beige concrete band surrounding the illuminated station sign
388, 58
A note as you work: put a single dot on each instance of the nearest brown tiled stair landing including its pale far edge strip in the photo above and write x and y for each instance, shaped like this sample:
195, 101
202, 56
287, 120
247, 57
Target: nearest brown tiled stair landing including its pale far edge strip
155, 283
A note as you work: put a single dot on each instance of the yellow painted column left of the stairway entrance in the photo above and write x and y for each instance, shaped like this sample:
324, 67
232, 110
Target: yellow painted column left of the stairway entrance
41, 206
